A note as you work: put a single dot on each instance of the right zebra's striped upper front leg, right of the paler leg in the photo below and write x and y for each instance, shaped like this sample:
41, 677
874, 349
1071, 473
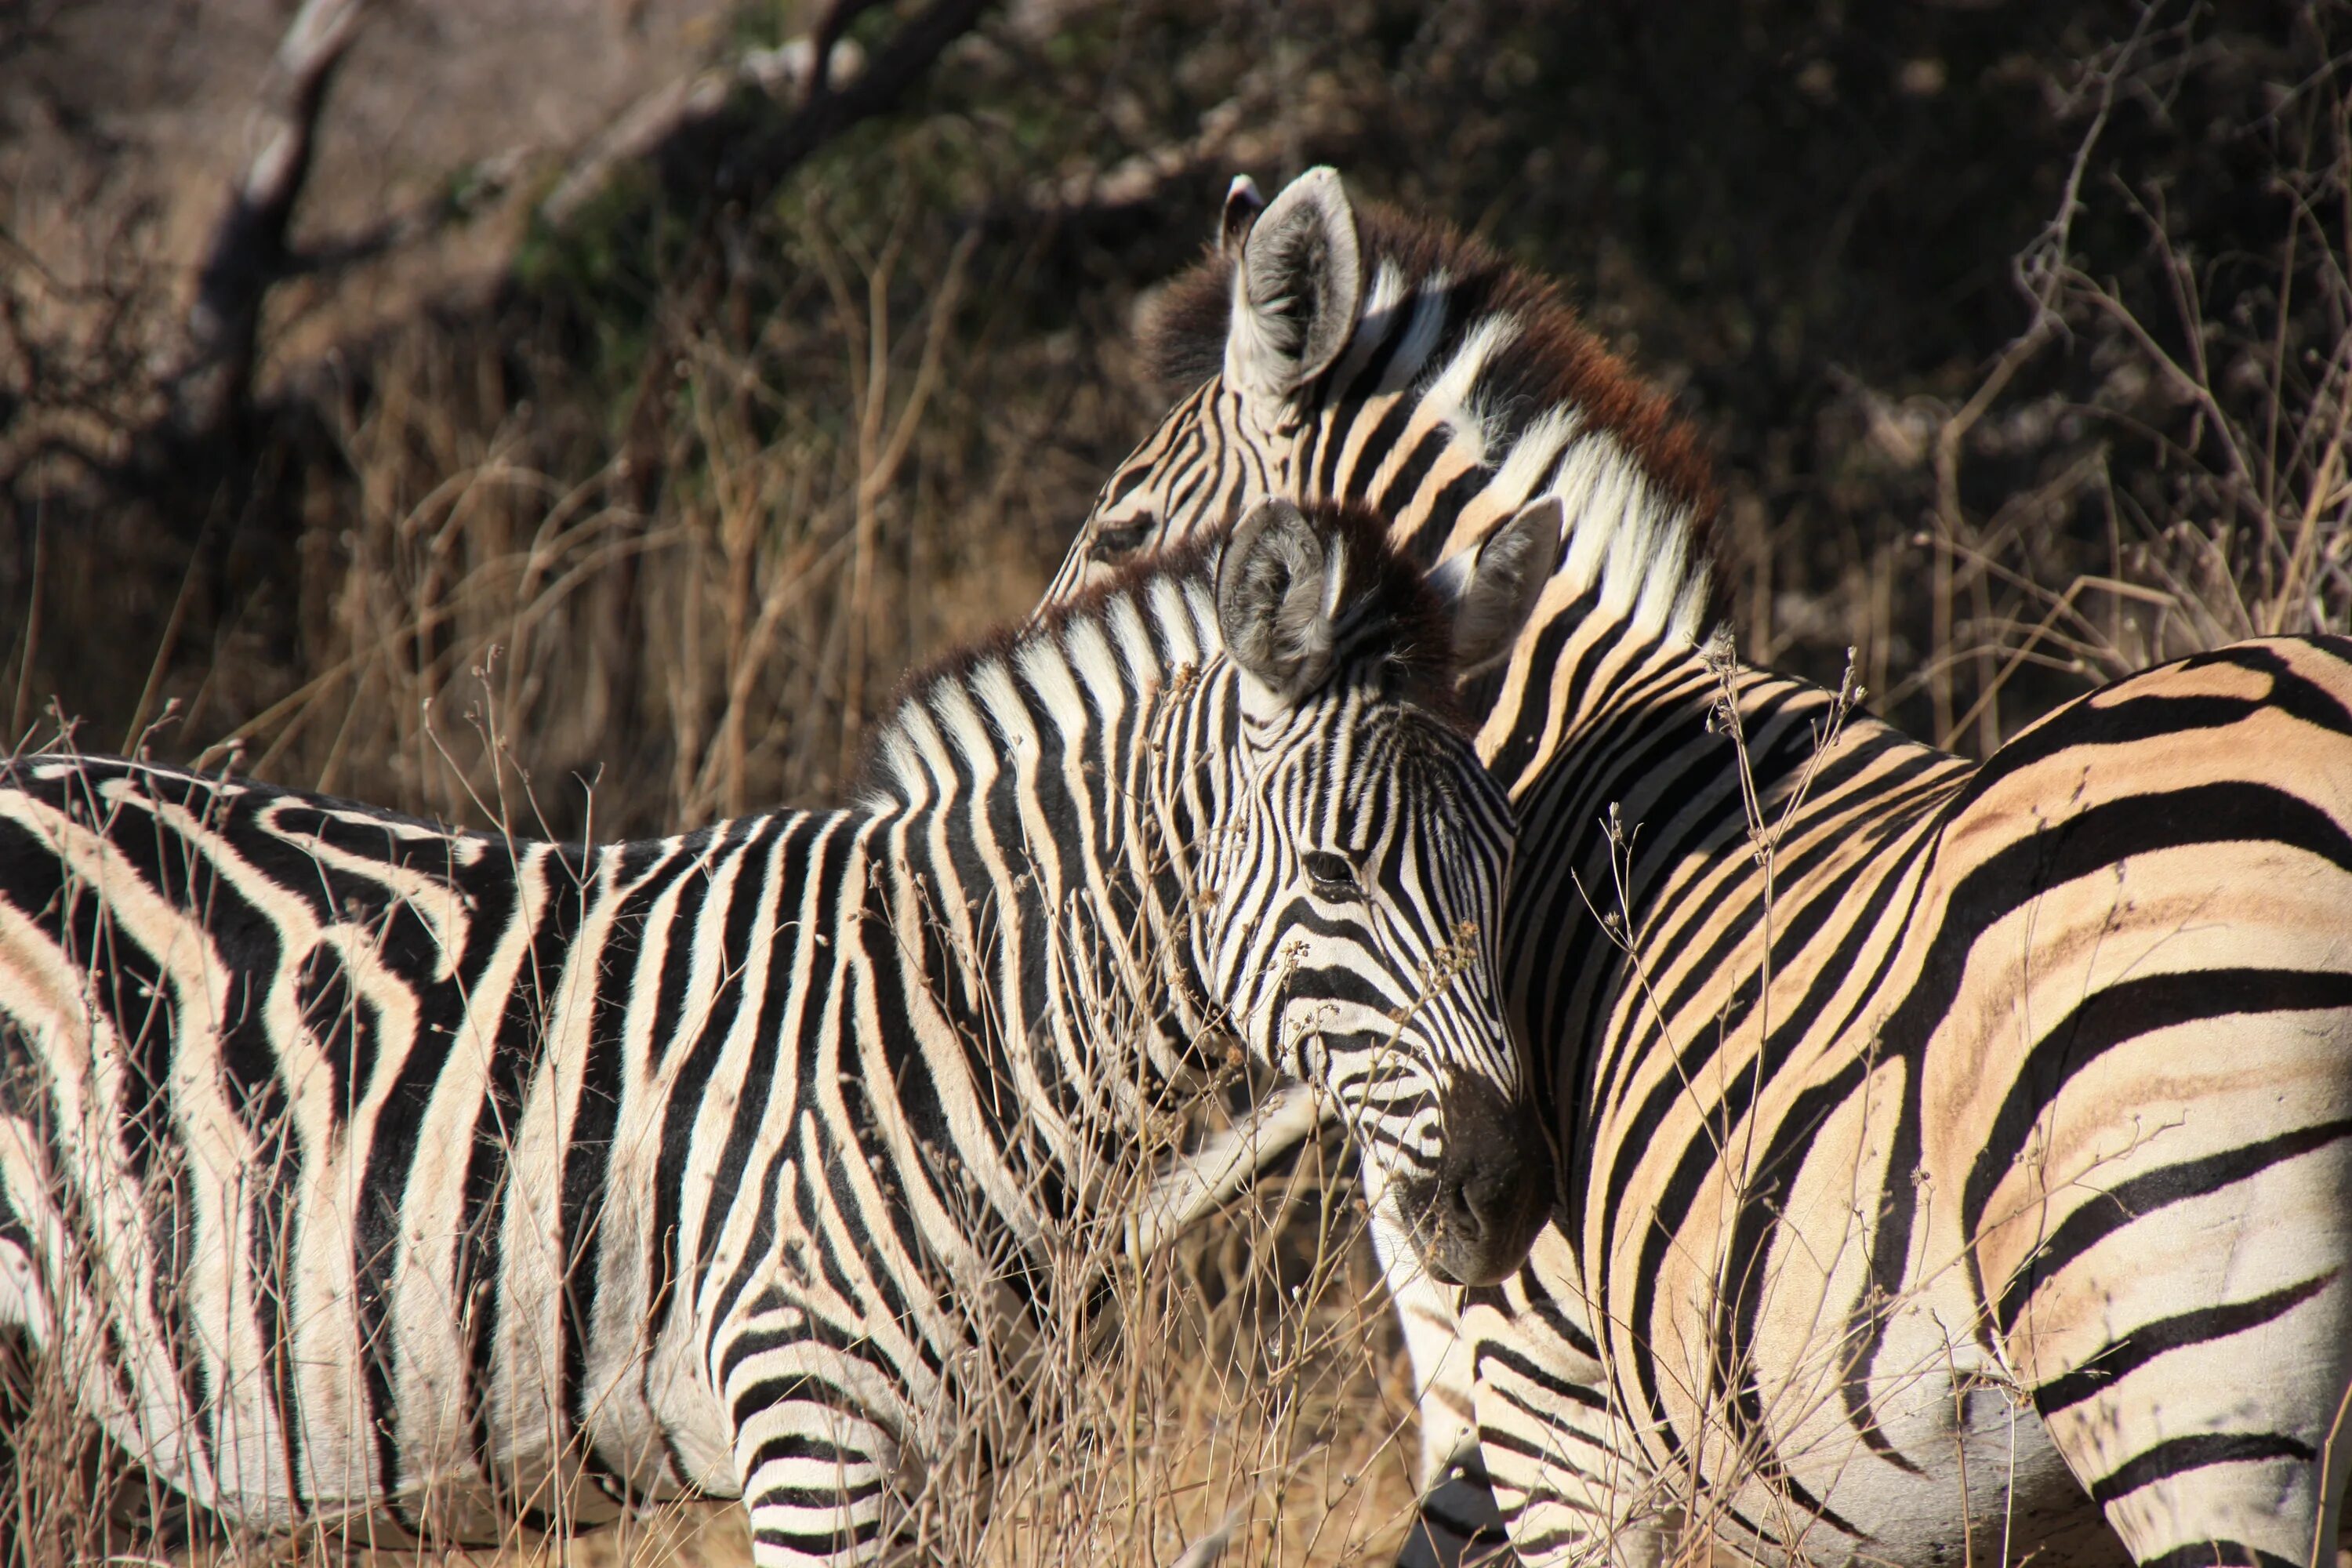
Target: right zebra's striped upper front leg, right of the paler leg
1570, 1480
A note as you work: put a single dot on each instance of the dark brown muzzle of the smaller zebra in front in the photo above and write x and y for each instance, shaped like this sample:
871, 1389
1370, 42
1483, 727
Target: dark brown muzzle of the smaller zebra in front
1478, 1214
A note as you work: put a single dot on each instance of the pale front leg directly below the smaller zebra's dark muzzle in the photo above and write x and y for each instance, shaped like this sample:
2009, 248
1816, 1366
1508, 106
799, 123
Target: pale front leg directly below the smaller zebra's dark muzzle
1457, 1520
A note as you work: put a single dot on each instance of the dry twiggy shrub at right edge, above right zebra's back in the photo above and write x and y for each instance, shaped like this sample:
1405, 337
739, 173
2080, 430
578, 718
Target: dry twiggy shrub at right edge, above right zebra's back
2156, 462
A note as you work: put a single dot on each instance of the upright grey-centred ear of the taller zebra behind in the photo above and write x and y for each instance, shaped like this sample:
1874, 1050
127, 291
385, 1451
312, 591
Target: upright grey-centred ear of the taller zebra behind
1297, 286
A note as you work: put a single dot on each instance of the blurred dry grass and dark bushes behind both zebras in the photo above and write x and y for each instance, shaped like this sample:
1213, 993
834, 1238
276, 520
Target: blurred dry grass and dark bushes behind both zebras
2017, 330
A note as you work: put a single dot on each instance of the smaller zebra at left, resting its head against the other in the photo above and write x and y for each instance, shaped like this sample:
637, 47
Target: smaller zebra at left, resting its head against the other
465, 1184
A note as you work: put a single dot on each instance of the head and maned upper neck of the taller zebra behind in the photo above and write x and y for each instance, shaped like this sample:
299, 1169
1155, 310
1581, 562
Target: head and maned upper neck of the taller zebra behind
1368, 356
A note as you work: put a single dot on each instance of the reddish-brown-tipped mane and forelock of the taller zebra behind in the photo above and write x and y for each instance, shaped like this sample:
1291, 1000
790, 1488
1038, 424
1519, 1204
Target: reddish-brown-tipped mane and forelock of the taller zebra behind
1523, 366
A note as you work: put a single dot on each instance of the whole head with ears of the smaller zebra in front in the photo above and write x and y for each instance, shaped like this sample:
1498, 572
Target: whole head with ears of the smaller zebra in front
1351, 894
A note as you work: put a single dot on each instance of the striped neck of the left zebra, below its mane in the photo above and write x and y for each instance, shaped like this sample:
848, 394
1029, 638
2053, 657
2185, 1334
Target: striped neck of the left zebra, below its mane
1050, 932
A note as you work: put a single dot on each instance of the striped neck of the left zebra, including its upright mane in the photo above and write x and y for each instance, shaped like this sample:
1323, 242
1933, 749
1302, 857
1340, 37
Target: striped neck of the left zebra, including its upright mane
1036, 812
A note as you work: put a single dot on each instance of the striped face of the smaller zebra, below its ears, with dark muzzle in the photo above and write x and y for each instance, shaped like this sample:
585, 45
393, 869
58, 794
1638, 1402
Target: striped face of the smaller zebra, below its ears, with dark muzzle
1379, 979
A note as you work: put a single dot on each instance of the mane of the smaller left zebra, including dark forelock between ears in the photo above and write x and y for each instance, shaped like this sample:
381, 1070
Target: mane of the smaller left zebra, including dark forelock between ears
1396, 631
